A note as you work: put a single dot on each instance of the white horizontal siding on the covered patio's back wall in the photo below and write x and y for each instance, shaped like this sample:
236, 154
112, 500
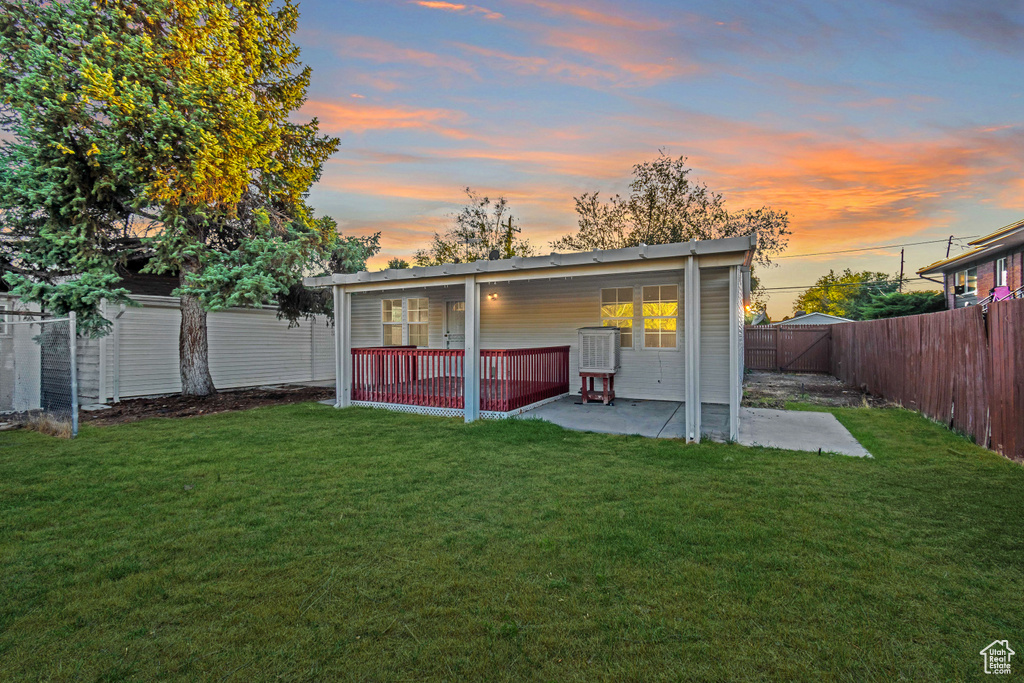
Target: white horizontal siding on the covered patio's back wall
548, 313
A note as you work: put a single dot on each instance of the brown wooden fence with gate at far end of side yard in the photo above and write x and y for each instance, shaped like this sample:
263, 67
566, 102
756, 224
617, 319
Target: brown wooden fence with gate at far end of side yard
799, 349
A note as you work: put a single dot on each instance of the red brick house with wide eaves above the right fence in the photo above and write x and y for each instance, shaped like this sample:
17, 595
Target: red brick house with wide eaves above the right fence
992, 269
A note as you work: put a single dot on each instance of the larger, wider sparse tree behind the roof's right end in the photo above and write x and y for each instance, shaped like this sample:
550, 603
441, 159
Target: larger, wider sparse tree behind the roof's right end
666, 205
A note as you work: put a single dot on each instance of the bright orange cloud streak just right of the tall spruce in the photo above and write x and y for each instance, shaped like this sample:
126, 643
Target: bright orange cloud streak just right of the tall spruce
356, 117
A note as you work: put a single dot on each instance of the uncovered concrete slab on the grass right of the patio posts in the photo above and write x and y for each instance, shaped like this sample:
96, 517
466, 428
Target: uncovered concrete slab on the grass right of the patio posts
797, 431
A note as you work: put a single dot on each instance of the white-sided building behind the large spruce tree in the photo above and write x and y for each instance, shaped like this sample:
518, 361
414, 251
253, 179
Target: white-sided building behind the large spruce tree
140, 358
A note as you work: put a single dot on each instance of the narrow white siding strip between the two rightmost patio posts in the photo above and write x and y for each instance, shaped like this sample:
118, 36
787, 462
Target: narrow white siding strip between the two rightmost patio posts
716, 317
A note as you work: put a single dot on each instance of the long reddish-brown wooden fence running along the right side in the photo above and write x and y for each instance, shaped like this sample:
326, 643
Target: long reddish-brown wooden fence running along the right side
962, 368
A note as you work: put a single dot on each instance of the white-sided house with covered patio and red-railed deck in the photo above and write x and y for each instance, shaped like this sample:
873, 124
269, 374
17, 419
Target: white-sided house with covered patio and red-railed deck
494, 338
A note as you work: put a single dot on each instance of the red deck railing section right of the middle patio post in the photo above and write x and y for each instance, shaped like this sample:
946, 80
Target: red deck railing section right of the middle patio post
514, 378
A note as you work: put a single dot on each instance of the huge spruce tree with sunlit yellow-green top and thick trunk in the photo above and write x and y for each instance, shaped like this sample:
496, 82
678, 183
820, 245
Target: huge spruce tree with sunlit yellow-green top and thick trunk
165, 126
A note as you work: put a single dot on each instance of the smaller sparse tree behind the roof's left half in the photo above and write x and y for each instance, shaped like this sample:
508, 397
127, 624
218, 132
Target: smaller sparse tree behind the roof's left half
481, 228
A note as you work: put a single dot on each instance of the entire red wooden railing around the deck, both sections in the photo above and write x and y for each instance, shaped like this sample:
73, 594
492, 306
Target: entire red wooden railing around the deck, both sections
509, 378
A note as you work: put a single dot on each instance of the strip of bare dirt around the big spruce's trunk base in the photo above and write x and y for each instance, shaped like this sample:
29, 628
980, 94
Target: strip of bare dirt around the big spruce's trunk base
186, 407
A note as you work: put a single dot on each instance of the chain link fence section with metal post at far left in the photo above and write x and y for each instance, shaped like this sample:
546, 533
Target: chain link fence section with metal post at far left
38, 374
